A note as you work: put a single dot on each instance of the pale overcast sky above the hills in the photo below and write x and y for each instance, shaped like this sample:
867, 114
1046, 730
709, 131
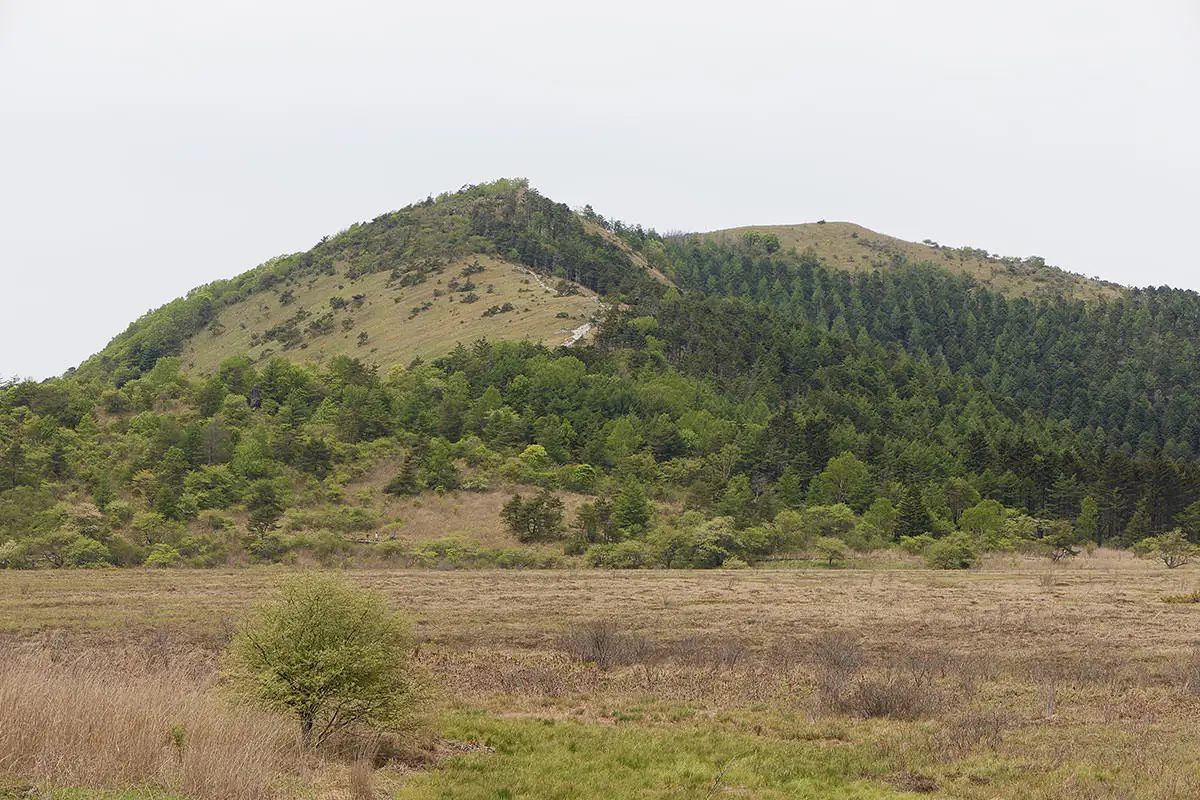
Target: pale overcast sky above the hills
152, 147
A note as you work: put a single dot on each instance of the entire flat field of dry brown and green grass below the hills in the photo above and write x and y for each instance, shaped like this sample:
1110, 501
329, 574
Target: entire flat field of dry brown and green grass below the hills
1016, 681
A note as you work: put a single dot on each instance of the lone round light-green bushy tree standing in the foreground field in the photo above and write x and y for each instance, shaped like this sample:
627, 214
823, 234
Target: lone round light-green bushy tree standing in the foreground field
332, 655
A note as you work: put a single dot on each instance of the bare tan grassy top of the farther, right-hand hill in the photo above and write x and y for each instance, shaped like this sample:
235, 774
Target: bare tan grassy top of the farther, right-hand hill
848, 246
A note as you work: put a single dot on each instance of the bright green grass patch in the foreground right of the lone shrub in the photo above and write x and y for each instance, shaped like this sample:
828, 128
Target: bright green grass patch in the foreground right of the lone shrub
553, 759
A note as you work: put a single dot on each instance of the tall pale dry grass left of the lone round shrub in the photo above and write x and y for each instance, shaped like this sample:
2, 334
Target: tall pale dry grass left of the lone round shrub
117, 724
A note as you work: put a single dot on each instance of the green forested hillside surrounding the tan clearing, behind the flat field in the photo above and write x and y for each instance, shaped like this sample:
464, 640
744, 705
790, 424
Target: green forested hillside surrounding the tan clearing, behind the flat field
752, 402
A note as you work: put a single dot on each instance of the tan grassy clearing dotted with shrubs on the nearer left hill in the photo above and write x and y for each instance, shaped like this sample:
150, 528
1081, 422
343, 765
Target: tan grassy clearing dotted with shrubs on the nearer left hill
383, 322
